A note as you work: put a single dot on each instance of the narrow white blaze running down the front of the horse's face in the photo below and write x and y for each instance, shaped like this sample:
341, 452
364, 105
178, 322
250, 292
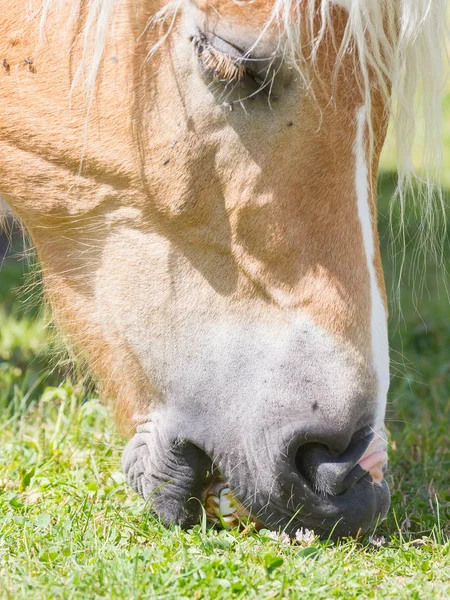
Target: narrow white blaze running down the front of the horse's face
380, 345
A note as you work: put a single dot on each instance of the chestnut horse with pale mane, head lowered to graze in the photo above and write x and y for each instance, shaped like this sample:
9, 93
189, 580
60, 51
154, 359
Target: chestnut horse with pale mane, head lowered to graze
199, 180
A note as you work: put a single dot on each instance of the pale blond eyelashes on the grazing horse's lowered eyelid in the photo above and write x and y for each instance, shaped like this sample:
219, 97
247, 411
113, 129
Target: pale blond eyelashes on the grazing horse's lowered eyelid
228, 64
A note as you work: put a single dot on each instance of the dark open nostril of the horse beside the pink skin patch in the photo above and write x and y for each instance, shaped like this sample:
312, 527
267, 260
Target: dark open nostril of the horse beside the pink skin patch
328, 472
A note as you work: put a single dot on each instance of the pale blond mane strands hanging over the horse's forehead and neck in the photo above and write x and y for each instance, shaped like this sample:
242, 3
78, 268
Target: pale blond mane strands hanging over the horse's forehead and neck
403, 42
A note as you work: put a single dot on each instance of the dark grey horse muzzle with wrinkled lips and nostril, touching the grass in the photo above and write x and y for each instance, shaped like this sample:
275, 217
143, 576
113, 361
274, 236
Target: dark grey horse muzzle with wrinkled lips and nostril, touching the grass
308, 486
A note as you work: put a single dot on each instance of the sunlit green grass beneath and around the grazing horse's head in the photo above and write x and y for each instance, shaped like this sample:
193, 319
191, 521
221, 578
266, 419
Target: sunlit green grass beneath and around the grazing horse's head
71, 528
